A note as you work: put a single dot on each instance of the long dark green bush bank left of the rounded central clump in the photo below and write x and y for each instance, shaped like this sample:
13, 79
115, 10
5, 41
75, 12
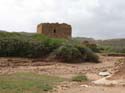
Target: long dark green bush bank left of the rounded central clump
33, 45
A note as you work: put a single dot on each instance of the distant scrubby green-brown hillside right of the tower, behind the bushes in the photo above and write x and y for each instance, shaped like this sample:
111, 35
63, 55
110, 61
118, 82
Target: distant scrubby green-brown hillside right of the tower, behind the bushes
110, 46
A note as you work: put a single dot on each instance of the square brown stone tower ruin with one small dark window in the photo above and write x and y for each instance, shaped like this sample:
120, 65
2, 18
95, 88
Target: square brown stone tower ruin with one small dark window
55, 30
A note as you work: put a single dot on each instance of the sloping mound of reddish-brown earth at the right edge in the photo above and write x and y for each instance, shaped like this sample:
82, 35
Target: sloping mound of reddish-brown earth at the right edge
117, 78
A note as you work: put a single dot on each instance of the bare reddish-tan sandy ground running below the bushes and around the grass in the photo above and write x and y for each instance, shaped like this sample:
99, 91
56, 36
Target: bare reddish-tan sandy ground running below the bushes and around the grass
91, 70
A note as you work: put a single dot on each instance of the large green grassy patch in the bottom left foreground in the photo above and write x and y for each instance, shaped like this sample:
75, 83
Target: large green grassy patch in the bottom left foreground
27, 83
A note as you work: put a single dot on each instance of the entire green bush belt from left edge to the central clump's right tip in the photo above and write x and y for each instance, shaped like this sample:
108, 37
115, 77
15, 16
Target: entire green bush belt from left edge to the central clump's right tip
38, 46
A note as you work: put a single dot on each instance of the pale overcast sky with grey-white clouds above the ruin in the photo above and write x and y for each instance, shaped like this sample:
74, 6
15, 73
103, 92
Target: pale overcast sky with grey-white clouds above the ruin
100, 19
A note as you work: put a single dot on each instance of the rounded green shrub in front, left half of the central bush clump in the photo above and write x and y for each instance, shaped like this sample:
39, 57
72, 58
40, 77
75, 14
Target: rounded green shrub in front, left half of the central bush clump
68, 53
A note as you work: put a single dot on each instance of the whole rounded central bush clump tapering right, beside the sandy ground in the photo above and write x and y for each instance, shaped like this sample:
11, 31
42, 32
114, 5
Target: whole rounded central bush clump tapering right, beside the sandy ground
74, 53
